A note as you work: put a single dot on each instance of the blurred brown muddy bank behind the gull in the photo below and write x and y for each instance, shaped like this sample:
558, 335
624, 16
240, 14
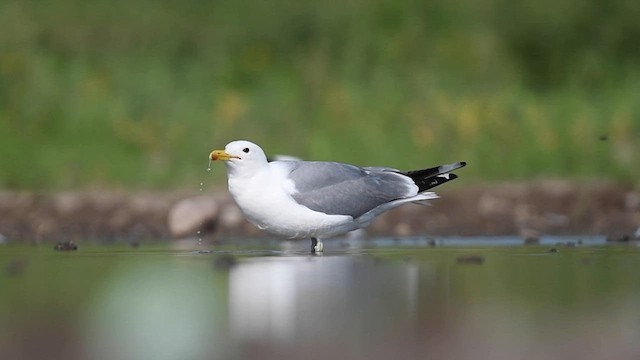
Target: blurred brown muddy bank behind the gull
532, 209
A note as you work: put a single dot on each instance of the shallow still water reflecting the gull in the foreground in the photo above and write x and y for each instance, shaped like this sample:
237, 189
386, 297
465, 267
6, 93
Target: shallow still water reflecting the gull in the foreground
573, 297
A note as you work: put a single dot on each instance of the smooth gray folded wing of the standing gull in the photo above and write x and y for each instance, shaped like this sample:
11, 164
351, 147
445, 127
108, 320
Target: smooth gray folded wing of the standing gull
342, 189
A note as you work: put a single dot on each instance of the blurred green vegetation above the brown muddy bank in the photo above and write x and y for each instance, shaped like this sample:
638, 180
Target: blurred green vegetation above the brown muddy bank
136, 93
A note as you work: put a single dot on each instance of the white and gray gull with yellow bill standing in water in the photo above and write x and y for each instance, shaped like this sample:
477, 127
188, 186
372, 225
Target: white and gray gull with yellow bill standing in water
319, 199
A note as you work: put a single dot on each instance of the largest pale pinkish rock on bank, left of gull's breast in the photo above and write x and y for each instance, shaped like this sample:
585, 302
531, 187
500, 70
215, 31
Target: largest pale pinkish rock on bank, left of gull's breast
188, 216
